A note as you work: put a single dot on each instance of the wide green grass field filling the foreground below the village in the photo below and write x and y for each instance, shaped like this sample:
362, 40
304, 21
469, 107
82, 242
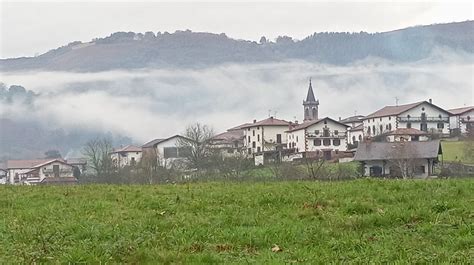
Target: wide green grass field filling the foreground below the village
361, 221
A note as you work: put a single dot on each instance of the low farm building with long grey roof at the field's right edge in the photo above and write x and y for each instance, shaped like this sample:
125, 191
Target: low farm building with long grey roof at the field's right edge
398, 159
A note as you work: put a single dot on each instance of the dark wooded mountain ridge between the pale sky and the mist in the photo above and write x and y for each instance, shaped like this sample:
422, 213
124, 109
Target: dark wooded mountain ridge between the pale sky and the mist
128, 50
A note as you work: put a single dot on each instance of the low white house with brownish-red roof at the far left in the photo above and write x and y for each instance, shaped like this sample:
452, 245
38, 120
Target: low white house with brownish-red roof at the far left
41, 171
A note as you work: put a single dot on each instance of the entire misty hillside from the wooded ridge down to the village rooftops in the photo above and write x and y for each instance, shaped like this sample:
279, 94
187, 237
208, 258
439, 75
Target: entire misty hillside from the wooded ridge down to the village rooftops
136, 87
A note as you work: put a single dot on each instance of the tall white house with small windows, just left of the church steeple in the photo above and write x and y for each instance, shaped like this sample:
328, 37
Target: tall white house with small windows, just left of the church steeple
265, 135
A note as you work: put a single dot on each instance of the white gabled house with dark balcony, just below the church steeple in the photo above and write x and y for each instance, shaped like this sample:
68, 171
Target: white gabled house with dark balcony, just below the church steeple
319, 138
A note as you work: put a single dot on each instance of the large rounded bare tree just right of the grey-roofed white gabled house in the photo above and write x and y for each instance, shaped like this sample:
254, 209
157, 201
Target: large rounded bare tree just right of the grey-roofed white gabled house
196, 144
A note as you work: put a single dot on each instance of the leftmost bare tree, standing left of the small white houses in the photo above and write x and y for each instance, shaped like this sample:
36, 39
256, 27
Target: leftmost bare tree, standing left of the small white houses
97, 152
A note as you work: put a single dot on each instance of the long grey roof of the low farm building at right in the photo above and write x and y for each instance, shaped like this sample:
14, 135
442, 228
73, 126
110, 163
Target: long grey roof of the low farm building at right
397, 150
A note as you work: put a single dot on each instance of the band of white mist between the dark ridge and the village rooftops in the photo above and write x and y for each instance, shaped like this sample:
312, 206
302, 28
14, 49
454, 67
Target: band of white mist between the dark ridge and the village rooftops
153, 103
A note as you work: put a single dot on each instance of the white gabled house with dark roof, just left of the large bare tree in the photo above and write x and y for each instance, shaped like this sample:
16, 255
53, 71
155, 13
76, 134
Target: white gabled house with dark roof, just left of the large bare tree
169, 151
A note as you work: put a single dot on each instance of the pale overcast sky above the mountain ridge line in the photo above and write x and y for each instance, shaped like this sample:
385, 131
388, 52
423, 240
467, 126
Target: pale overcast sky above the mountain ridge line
30, 28
